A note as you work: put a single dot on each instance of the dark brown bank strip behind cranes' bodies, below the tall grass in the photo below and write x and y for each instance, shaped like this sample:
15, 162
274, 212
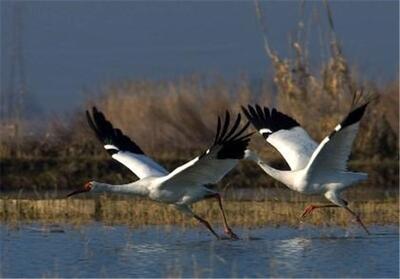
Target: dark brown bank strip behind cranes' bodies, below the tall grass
56, 175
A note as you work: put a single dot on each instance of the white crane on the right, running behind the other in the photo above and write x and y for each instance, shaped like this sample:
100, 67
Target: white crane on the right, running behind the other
315, 169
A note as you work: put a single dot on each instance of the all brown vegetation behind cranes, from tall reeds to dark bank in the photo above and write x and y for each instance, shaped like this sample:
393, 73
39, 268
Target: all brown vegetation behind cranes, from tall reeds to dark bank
175, 120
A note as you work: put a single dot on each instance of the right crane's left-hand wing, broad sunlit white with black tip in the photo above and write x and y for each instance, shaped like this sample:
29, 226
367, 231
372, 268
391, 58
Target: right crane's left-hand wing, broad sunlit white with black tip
284, 133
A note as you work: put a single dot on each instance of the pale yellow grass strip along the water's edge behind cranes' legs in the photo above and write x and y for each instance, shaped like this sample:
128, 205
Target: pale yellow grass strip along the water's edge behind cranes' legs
143, 212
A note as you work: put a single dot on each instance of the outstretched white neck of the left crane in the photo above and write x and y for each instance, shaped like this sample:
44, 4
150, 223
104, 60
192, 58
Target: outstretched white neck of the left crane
125, 189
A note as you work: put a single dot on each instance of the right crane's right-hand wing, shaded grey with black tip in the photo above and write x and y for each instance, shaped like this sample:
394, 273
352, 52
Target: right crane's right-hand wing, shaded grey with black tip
334, 150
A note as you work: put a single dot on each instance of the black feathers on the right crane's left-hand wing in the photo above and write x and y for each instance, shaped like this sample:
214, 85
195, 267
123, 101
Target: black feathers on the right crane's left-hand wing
272, 120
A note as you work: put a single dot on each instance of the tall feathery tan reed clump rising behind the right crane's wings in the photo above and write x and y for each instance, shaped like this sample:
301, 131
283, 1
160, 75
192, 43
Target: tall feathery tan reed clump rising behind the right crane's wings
319, 97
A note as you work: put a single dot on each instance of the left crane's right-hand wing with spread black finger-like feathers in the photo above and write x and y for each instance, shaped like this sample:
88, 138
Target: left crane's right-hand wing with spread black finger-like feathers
228, 147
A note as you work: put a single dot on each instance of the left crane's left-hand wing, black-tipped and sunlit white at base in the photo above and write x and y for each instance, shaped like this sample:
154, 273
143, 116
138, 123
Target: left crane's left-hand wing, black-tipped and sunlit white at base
122, 148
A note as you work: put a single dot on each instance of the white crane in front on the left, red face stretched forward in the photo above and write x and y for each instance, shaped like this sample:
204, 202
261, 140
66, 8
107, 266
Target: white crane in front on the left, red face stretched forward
183, 186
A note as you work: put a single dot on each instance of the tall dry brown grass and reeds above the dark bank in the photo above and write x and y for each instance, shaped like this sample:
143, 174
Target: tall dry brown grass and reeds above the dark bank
178, 117
